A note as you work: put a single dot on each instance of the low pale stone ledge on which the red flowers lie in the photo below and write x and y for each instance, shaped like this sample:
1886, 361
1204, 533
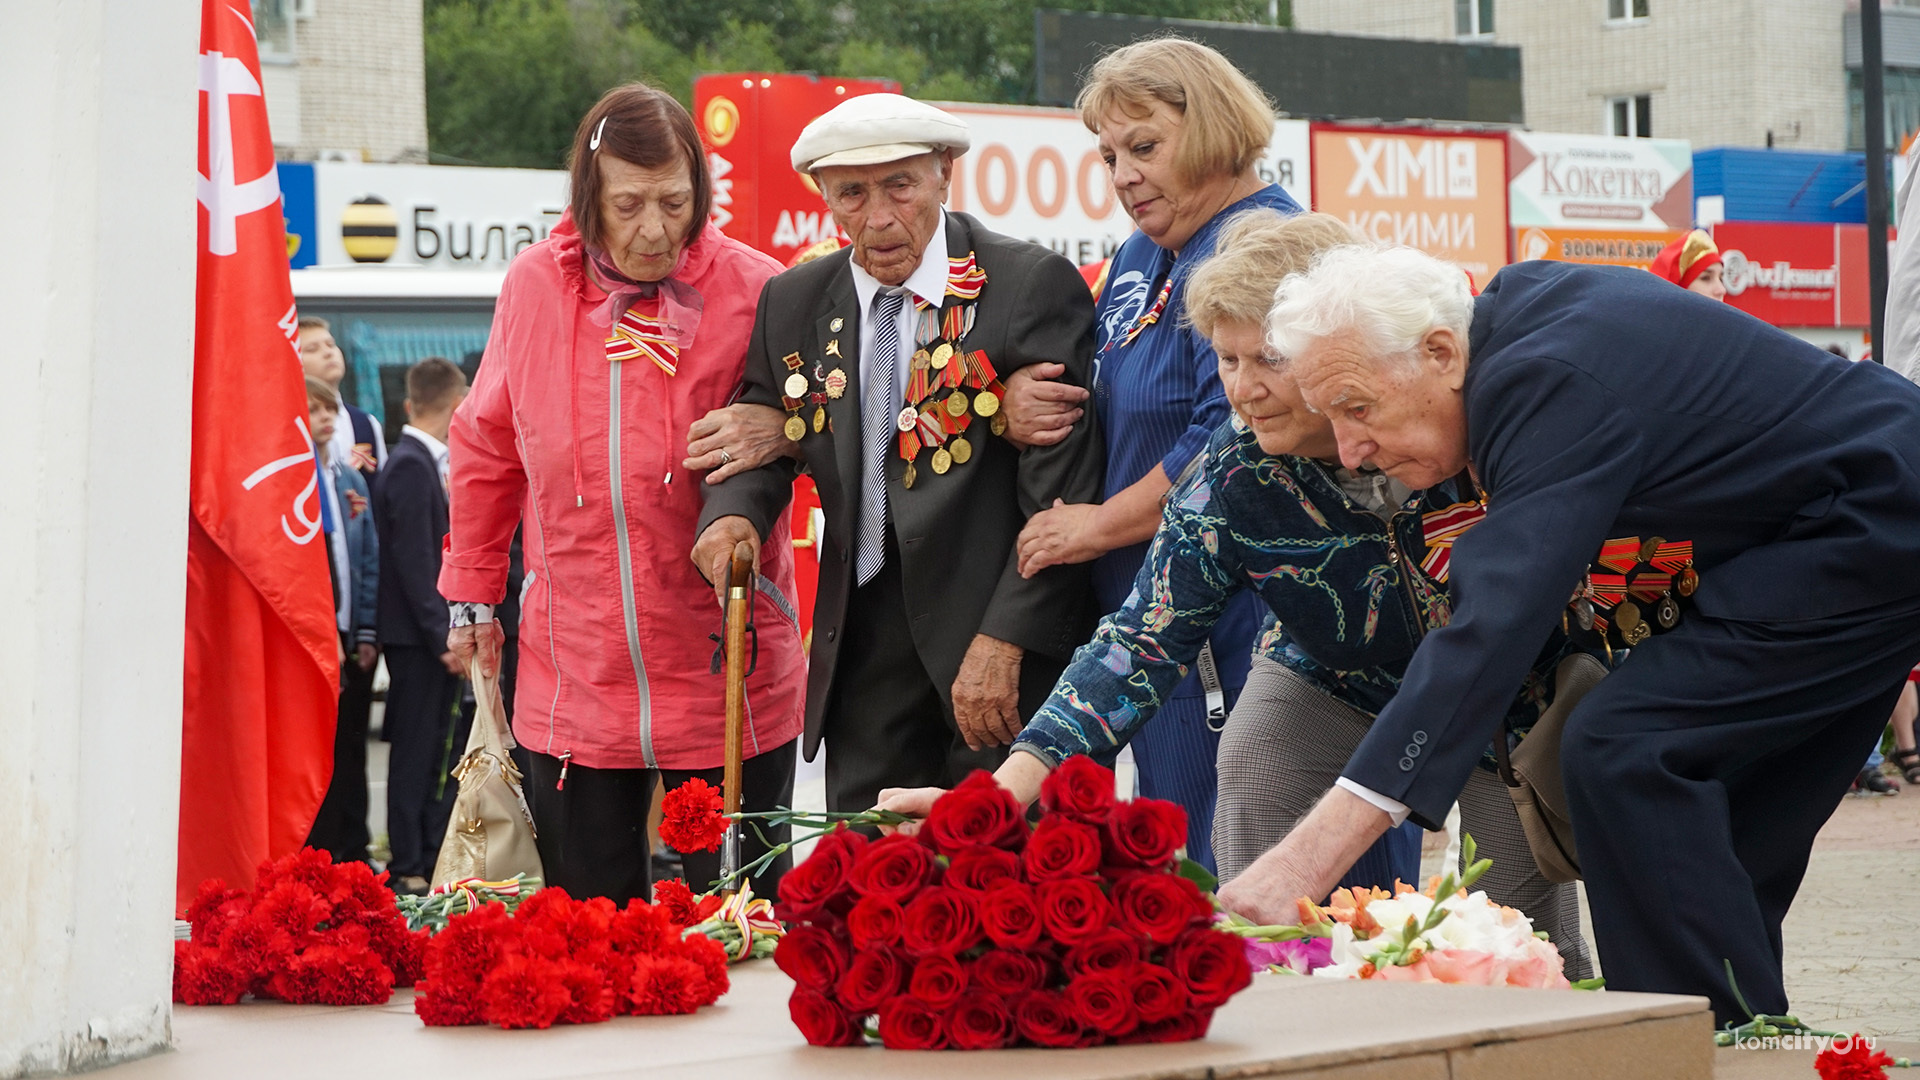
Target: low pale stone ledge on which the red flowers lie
1280, 1027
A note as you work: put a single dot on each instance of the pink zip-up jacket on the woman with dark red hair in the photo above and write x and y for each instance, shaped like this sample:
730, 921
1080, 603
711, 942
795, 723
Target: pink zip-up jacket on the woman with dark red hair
615, 652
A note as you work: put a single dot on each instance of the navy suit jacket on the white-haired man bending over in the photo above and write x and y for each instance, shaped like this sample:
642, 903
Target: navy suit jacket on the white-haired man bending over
1604, 403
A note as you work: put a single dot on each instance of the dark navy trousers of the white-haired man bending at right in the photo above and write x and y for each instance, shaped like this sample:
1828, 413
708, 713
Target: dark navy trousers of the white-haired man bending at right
1700, 775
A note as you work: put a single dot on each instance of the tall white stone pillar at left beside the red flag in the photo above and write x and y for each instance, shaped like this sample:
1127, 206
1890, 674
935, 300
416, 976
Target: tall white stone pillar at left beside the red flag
99, 145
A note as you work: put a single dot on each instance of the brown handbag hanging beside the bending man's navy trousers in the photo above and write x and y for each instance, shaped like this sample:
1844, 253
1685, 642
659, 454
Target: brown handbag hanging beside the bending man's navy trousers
1533, 772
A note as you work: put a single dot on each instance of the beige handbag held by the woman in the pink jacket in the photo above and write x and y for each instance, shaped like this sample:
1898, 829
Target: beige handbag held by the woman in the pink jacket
491, 835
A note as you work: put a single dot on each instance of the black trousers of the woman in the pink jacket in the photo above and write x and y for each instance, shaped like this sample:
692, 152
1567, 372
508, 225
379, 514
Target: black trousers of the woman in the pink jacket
594, 831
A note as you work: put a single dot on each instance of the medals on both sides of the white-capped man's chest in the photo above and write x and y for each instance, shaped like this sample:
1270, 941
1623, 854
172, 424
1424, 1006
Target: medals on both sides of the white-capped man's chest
930, 370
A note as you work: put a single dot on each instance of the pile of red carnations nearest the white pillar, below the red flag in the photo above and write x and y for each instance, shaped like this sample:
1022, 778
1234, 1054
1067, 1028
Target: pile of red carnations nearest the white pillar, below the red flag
312, 933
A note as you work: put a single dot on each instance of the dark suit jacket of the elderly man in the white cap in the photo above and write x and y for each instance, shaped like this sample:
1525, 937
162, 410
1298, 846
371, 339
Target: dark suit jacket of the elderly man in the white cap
957, 531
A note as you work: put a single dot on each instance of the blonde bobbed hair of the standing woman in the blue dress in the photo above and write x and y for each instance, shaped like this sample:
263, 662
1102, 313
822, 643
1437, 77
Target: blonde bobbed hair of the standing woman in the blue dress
1228, 118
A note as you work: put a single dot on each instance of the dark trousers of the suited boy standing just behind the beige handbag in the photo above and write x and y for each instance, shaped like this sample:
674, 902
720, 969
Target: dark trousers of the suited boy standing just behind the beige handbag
427, 741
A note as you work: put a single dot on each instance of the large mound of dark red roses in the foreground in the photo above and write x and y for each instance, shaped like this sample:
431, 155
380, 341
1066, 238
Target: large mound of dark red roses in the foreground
986, 933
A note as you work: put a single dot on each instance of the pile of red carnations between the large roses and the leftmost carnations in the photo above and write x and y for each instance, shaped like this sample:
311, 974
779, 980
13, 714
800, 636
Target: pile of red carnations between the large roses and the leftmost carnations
565, 962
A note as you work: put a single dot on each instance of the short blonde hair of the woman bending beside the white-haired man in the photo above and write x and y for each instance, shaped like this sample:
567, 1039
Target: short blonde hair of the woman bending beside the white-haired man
1255, 255
